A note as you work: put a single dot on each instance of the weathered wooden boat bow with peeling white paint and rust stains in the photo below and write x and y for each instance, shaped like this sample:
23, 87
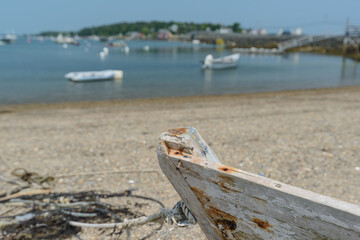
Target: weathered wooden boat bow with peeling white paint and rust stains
229, 203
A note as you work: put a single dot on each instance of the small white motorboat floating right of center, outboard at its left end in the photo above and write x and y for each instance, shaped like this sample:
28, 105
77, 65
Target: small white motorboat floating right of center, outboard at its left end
219, 63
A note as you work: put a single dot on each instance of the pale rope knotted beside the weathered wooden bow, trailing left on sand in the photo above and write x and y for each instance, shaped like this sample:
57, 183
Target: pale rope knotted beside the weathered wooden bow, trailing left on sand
179, 215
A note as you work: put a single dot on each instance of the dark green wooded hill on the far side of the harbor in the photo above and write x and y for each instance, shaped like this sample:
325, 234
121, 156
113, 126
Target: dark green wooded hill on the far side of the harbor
147, 28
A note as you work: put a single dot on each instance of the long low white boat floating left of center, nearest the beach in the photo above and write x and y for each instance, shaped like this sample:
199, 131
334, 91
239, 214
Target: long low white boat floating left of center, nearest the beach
94, 75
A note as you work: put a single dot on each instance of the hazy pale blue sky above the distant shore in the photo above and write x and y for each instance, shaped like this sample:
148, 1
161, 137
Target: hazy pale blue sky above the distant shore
314, 16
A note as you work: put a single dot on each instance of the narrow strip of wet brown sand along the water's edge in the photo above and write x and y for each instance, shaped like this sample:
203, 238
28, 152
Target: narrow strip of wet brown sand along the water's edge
8, 108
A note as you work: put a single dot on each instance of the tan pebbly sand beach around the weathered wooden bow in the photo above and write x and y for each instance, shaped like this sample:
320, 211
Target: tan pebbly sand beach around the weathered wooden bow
306, 138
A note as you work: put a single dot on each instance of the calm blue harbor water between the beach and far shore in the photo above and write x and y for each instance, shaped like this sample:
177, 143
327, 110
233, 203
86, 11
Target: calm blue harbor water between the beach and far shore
34, 72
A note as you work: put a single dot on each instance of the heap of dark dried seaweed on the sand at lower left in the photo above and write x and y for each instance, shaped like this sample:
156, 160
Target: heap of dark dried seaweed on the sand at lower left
46, 216
